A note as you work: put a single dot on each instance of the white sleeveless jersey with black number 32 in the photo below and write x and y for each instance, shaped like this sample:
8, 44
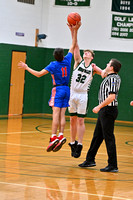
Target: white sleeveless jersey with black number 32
81, 78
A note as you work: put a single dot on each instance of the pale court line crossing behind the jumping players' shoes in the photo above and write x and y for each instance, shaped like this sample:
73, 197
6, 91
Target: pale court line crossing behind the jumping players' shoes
41, 147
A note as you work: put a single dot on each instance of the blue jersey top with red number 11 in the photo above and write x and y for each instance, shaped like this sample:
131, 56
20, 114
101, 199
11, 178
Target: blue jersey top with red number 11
60, 71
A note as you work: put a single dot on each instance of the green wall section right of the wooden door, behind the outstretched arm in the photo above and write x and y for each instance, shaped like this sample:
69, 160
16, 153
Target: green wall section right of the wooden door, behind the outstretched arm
34, 87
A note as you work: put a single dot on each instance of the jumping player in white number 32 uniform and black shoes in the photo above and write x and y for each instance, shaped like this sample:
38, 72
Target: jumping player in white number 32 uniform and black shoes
82, 76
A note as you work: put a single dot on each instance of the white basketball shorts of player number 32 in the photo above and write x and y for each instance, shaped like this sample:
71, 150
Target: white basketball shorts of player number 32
78, 104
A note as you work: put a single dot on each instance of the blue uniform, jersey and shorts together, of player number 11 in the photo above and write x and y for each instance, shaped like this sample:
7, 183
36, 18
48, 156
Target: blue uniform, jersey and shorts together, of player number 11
60, 72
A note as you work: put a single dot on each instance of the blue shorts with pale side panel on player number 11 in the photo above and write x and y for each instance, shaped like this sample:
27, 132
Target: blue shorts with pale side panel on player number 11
60, 97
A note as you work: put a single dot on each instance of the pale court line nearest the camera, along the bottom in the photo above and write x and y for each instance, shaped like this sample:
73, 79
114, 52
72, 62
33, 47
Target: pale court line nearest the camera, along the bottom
66, 191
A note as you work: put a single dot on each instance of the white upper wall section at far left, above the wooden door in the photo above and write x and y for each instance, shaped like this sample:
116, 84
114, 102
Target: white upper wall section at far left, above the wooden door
19, 17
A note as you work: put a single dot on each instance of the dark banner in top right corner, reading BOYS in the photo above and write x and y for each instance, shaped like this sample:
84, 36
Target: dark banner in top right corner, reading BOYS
124, 6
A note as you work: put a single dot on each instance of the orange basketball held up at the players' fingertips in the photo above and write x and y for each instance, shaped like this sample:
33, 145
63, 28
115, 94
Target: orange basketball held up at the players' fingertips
73, 17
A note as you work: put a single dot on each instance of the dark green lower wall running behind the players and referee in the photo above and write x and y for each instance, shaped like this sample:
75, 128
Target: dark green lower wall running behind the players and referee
37, 90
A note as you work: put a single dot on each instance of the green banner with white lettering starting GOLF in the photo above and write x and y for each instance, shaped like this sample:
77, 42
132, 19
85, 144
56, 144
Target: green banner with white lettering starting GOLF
122, 26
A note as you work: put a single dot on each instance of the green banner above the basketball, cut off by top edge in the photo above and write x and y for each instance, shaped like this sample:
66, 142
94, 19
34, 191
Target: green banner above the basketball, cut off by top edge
72, 2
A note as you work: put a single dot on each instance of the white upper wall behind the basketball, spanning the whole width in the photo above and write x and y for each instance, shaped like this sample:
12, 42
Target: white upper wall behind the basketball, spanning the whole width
94, 33
